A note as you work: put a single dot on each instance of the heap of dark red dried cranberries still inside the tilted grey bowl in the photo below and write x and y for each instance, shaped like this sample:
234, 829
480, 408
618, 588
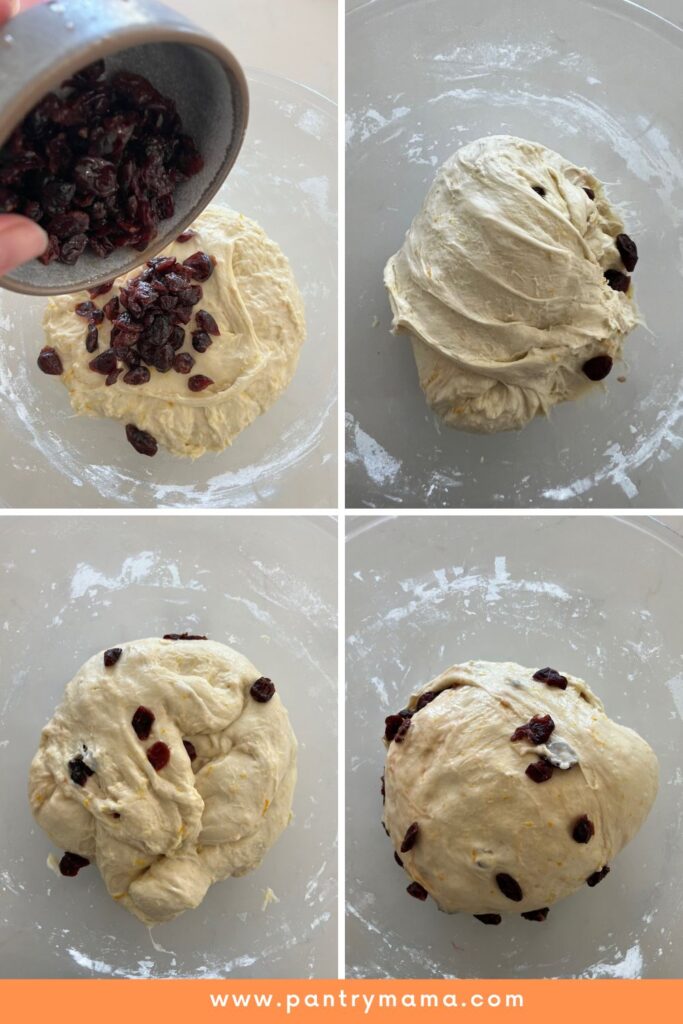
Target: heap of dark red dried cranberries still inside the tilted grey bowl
98, 164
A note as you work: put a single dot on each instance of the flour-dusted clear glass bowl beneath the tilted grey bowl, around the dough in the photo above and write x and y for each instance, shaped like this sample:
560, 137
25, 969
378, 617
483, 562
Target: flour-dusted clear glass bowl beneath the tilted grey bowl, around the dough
286, 180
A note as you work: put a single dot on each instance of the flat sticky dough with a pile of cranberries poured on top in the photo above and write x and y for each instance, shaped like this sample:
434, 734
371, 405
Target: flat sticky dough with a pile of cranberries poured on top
254, 300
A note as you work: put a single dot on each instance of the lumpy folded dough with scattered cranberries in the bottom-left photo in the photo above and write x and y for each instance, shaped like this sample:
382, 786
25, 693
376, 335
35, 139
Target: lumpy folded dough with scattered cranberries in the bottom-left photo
160, 838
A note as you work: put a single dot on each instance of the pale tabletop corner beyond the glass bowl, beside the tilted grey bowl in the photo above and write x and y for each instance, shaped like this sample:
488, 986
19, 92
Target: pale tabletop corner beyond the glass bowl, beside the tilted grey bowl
293, 38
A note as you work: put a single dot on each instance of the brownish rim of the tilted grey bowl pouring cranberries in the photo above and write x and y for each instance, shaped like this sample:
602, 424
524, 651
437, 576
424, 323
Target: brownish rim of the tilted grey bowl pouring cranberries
125, 38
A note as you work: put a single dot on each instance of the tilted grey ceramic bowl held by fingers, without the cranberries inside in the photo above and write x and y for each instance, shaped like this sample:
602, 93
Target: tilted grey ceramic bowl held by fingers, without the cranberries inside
47, 45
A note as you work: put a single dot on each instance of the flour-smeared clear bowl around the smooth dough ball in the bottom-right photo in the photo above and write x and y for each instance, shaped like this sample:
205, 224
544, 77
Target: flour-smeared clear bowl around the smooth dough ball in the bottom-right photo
600, 598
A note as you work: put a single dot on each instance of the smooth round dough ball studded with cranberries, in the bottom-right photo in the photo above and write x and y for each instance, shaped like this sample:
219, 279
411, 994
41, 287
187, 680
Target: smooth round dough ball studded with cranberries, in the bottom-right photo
458, 776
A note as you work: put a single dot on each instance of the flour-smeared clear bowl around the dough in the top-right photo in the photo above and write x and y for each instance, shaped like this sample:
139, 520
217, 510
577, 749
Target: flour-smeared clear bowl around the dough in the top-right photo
425, 77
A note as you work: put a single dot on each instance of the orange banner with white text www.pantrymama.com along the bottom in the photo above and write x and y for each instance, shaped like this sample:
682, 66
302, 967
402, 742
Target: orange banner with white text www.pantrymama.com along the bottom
109, 1002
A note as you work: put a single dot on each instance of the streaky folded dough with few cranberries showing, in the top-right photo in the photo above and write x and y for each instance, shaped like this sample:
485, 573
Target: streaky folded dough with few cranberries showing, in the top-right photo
503, 290
